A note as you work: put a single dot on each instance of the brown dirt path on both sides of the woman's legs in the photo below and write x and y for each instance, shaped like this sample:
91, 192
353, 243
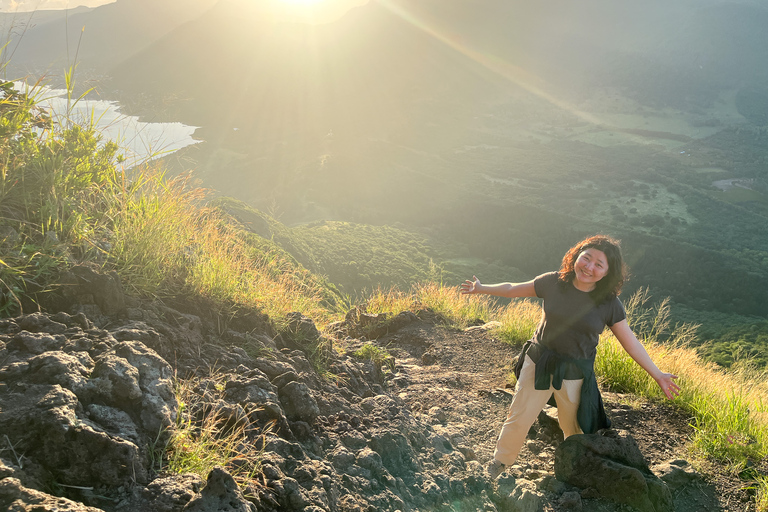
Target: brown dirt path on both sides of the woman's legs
456, 381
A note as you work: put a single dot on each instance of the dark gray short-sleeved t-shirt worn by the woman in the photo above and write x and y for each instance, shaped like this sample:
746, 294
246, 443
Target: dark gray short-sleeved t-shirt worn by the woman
572, 323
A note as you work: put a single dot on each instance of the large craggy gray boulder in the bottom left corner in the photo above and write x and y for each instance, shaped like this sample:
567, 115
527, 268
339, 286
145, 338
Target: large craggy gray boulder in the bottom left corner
79, 405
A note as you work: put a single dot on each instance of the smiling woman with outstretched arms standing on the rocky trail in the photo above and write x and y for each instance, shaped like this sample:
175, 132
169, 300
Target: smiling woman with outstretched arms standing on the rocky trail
579, 301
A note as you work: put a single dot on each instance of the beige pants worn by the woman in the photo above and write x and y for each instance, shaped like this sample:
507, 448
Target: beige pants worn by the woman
527, 405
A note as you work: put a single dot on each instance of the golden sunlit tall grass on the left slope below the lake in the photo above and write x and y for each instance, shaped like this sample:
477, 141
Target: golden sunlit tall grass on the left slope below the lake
167, 241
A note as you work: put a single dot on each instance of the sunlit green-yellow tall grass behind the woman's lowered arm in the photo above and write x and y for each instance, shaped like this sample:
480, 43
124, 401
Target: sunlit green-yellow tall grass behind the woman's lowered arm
729, 409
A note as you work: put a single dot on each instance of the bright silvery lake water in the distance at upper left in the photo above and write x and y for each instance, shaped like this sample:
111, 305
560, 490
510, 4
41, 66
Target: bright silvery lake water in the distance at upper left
139, 141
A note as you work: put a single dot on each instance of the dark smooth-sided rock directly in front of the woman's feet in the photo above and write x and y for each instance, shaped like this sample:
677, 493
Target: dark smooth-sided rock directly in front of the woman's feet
611, 463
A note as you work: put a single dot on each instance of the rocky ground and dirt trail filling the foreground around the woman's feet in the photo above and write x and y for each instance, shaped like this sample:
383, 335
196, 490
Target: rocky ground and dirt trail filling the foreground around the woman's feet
87, 402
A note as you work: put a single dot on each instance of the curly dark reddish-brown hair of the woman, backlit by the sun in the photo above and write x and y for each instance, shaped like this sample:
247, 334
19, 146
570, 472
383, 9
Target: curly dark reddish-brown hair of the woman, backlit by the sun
609, 286
